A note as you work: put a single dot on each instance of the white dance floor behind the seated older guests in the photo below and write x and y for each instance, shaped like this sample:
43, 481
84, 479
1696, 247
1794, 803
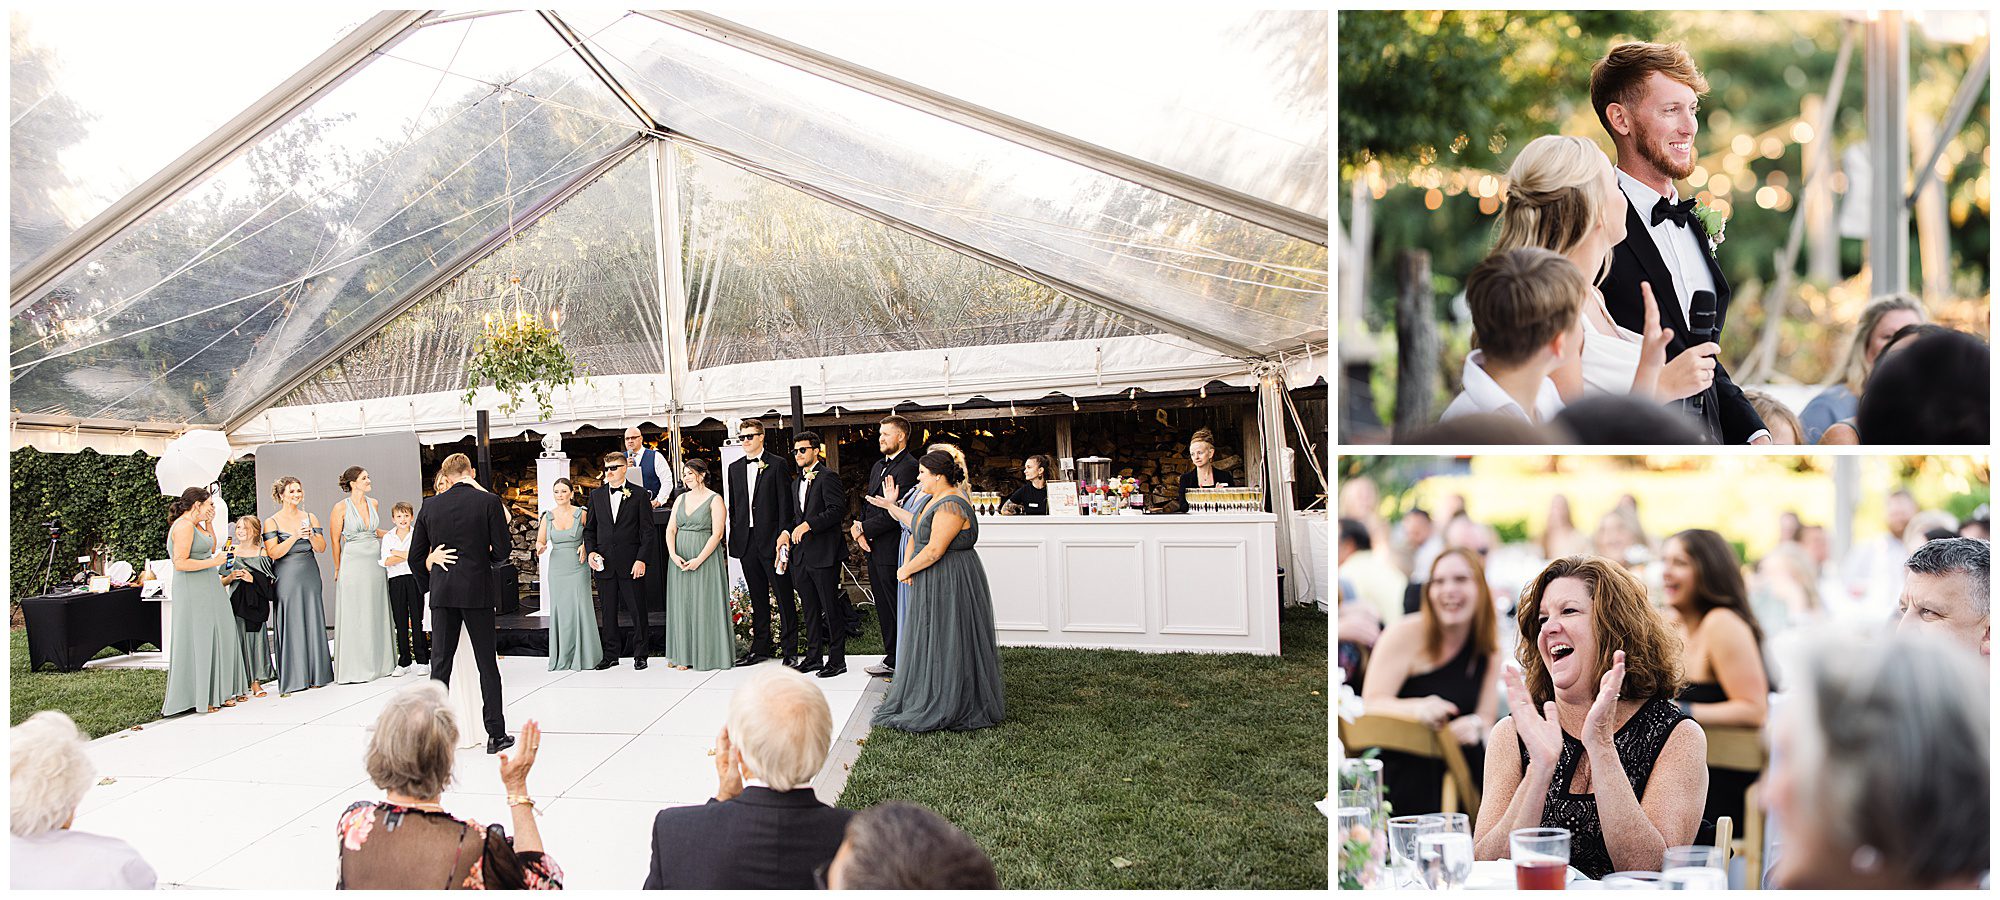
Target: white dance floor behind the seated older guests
249, 797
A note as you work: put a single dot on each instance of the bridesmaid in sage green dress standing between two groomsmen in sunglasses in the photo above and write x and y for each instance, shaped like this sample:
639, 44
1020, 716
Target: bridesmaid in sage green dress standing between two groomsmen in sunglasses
699, 631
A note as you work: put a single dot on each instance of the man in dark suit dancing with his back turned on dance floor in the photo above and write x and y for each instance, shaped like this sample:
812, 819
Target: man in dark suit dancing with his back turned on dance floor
469, 523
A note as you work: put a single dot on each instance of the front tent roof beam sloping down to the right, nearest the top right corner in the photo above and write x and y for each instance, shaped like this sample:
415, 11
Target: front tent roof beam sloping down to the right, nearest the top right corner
1215, 197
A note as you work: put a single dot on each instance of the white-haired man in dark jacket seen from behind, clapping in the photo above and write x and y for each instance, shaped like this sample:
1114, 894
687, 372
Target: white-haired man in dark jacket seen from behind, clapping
765, 827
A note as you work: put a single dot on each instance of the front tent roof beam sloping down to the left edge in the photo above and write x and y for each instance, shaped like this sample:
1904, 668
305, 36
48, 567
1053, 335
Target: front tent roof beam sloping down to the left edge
213, 153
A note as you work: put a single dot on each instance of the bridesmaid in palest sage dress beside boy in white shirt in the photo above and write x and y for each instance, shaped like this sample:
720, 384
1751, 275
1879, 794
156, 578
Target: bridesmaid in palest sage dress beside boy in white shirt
365, 641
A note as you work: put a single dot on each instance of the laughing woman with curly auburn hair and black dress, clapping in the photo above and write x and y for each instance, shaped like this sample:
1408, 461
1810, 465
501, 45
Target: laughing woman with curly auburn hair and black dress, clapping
1595, 741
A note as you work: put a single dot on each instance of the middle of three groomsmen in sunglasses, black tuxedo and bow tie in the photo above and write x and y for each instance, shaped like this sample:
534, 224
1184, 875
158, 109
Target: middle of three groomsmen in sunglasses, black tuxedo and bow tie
761, 513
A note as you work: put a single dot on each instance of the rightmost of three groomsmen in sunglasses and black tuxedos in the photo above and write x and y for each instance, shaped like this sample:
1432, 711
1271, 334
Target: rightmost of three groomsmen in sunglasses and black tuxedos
817, 547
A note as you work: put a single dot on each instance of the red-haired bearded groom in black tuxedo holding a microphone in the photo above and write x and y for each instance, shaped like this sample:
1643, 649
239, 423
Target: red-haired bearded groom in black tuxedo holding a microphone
1647, 99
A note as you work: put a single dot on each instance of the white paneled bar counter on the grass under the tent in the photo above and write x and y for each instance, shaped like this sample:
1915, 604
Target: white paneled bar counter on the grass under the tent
1193, 583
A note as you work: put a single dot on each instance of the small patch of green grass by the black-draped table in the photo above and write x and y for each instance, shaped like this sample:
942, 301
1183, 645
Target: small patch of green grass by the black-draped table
99, 699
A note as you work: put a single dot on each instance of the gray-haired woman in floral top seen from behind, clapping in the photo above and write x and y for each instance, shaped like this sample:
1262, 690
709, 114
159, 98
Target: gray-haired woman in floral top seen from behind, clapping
407, 841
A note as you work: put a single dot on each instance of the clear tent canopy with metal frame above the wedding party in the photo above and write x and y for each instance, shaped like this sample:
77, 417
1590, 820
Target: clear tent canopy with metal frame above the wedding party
727, 205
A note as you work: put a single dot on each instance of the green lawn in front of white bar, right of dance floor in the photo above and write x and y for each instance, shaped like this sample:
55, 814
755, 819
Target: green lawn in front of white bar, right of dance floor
1135, 771
